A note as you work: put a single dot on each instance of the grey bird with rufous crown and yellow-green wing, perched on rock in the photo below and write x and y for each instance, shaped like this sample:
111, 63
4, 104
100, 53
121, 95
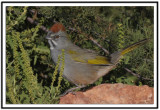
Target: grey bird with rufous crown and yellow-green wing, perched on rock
82, 67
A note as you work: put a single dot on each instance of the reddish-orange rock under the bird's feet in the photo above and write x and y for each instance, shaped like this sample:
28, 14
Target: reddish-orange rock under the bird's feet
112, 94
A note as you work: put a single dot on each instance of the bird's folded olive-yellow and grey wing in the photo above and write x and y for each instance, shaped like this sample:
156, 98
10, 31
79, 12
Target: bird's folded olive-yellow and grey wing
88, 57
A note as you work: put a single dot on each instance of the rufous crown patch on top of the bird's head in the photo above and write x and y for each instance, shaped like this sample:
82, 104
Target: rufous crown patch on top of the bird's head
57, 27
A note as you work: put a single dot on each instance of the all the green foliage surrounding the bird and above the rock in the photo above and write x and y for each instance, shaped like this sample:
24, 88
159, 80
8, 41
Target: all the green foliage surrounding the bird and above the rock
31, 75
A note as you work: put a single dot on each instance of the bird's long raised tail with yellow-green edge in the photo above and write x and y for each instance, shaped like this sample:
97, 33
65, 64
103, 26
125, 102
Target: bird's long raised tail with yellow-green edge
115, 57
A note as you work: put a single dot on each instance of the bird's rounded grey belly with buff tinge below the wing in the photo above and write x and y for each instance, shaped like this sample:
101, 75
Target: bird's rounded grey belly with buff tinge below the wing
80, 74
